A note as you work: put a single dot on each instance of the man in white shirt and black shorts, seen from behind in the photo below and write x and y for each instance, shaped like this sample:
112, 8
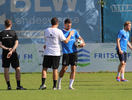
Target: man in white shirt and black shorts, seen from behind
53, 38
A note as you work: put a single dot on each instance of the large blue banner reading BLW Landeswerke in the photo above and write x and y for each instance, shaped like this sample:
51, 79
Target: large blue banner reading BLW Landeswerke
31, 17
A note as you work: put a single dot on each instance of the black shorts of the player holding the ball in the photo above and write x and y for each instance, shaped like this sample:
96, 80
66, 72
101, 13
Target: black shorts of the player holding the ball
70, 58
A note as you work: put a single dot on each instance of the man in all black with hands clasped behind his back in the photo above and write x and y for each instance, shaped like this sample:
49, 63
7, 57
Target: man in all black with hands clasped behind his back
9, 43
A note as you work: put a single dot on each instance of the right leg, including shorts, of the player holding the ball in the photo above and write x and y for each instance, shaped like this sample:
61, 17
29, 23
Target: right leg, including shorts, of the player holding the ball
73, 62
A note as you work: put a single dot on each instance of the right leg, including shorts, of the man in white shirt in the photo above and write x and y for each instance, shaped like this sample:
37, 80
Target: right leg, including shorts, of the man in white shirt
56, 60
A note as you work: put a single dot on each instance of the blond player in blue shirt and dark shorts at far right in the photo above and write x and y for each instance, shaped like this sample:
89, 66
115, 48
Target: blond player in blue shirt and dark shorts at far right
122, 42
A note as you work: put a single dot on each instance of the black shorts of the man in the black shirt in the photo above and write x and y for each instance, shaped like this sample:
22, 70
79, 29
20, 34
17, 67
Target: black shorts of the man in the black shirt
13, 60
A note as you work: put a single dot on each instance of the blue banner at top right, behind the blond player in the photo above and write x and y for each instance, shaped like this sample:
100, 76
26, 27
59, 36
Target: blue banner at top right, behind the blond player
116, 13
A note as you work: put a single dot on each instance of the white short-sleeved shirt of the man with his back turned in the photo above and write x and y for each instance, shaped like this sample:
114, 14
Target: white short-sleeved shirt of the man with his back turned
53, 38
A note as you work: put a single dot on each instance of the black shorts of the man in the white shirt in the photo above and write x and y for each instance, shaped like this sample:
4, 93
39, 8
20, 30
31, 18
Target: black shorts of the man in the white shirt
51, 62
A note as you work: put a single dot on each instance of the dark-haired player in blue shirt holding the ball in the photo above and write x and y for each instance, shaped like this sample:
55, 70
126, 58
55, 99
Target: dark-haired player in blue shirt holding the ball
69, 53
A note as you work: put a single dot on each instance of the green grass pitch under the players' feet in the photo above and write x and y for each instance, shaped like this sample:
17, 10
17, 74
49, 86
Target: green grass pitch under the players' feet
88, 86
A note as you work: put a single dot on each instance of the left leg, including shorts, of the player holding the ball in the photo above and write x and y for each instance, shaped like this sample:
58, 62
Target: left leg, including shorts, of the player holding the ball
65, 63
